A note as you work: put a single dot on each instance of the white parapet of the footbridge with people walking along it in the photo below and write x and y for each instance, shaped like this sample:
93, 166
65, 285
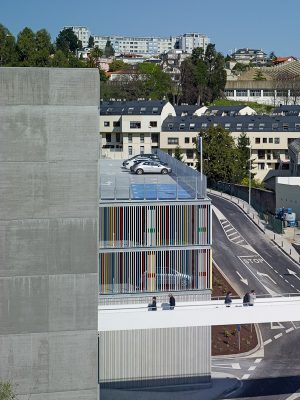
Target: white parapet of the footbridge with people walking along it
205, 313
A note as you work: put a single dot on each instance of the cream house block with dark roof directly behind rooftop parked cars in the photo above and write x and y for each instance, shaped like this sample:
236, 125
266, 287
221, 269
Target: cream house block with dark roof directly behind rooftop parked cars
132, 127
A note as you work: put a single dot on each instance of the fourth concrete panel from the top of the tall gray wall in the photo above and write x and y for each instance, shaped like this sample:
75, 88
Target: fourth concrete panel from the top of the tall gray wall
43, 246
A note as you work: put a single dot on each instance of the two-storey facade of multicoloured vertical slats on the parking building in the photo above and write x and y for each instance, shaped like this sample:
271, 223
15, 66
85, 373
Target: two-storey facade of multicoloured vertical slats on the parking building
152, 248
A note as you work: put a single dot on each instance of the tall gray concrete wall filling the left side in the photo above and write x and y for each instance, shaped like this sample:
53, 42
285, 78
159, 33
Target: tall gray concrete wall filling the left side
49, 123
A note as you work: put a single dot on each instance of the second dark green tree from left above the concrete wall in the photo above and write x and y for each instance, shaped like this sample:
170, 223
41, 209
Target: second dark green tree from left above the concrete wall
26, 43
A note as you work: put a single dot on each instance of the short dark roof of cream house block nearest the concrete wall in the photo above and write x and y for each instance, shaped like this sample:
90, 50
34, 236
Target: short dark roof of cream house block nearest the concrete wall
136, 107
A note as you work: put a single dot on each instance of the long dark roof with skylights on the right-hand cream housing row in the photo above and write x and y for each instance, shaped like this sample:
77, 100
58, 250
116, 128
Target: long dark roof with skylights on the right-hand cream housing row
242, 123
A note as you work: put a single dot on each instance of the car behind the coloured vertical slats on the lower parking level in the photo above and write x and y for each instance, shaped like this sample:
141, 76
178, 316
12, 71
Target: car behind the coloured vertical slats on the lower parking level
170, 279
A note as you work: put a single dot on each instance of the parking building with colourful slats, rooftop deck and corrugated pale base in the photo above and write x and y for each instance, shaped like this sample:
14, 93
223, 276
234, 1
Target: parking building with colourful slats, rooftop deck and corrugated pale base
154, 237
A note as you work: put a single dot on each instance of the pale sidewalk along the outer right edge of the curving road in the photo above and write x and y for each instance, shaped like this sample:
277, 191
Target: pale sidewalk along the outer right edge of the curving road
284, 241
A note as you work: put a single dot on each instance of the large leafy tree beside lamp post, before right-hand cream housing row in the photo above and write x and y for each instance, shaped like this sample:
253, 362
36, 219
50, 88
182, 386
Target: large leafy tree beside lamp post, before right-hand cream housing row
220, 155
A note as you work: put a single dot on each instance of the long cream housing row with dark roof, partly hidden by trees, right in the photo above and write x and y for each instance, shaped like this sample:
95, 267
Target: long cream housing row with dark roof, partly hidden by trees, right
269, 137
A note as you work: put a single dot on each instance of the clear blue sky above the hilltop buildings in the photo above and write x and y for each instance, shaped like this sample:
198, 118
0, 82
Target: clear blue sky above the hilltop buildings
268, 24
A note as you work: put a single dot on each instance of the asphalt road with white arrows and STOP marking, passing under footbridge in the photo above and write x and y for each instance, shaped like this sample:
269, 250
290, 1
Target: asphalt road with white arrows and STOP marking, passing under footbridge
251, 261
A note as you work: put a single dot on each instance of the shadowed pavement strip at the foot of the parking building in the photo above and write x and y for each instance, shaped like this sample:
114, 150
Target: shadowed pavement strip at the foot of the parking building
221, 385
